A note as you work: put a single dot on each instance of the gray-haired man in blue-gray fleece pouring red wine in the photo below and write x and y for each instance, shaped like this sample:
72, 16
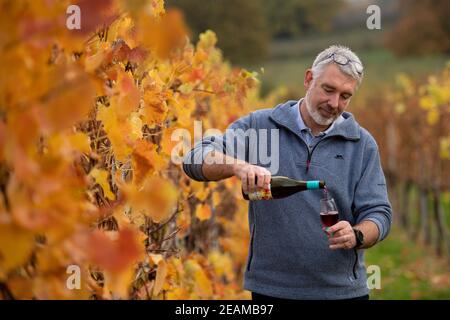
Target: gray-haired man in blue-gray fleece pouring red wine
290, 255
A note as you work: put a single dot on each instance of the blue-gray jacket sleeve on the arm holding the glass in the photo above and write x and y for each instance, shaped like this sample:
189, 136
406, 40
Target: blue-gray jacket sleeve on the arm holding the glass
371, 198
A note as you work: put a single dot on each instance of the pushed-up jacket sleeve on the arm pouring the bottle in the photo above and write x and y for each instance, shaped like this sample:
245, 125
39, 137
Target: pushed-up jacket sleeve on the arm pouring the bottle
231, 143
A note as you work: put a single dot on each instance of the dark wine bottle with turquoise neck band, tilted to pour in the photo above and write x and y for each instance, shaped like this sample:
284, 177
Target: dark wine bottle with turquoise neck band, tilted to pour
282, 187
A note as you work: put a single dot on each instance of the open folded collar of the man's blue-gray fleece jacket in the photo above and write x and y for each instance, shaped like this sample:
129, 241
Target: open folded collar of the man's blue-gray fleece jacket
283, 115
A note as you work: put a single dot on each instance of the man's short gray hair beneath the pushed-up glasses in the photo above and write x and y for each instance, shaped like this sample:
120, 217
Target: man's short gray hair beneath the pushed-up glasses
353, 67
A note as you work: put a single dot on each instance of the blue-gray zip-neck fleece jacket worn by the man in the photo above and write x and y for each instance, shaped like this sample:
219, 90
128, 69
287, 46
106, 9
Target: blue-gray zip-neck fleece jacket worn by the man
289, 255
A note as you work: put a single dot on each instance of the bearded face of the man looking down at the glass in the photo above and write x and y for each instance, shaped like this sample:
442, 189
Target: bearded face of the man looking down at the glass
329, 94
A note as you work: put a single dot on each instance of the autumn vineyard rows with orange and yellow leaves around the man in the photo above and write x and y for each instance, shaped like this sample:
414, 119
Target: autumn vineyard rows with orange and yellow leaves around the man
94, 124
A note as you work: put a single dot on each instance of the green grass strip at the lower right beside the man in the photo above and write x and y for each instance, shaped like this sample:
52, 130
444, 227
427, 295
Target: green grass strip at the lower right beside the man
408, 270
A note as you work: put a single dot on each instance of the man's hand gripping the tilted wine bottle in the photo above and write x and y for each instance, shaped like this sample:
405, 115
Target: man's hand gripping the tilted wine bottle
247, 173
